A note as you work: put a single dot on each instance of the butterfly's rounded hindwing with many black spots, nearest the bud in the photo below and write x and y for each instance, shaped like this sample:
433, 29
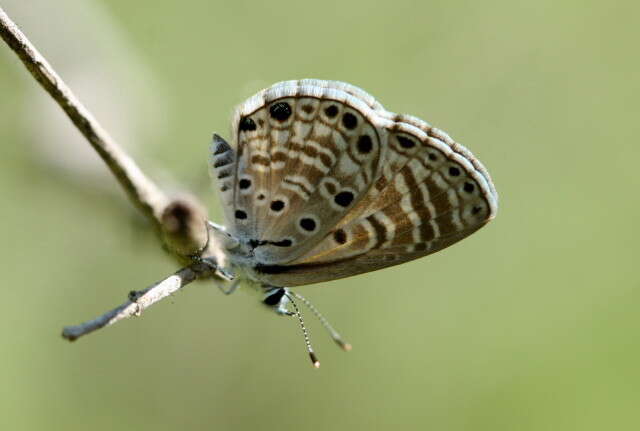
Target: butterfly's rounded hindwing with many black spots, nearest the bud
306, 154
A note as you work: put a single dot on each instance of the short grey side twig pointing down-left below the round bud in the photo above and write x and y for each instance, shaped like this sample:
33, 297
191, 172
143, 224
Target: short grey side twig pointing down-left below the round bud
138, 302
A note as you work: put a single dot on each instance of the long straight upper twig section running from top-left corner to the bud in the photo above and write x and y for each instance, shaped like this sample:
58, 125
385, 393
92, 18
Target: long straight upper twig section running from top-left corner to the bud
143, 192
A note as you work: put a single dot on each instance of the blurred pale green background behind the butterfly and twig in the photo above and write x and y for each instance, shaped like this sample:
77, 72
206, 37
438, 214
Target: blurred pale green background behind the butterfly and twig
530, 324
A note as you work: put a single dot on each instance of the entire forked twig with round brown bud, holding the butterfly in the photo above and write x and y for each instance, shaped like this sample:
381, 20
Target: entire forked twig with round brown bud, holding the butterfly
181, 223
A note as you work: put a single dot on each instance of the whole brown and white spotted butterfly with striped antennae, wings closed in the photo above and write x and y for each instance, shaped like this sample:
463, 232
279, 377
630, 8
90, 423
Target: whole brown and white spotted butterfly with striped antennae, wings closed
322, 183
